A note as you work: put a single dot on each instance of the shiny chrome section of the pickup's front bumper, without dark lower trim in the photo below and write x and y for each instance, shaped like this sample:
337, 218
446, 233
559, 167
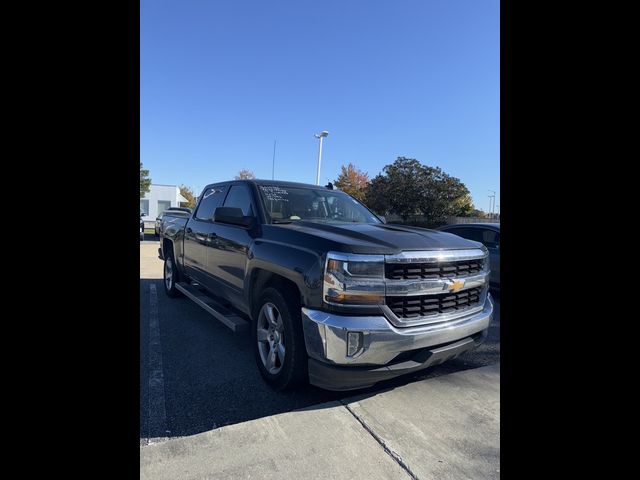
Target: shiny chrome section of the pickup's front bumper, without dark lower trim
326, 335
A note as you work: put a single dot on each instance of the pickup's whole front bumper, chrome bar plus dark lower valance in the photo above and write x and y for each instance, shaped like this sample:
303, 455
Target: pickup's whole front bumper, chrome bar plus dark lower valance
331, 368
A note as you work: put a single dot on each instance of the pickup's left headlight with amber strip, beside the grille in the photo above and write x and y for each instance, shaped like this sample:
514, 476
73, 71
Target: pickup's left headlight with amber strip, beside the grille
351, 279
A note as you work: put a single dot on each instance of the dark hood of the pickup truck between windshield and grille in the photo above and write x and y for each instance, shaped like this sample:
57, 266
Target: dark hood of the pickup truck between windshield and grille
381, 238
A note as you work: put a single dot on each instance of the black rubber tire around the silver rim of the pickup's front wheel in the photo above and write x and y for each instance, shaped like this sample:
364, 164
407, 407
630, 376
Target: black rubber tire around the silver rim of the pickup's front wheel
293, 370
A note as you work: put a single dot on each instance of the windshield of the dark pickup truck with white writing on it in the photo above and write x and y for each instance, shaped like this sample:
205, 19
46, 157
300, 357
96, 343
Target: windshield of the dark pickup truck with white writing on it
289, 204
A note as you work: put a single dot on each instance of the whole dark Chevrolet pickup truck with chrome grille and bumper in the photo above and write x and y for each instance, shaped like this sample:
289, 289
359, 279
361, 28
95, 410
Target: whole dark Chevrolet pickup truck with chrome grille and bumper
330, 292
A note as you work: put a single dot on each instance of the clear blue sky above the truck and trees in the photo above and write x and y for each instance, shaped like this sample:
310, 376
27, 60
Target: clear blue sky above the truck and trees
220, 80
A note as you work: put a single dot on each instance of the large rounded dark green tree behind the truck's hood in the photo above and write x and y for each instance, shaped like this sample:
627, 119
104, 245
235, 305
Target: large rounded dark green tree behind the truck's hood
409, 188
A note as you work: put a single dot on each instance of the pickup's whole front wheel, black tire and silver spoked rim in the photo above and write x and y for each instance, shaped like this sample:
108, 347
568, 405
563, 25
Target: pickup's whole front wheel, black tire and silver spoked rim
278, 340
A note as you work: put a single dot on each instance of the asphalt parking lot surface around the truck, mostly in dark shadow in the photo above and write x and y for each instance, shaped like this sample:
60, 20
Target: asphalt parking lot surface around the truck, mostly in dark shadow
206, 374
